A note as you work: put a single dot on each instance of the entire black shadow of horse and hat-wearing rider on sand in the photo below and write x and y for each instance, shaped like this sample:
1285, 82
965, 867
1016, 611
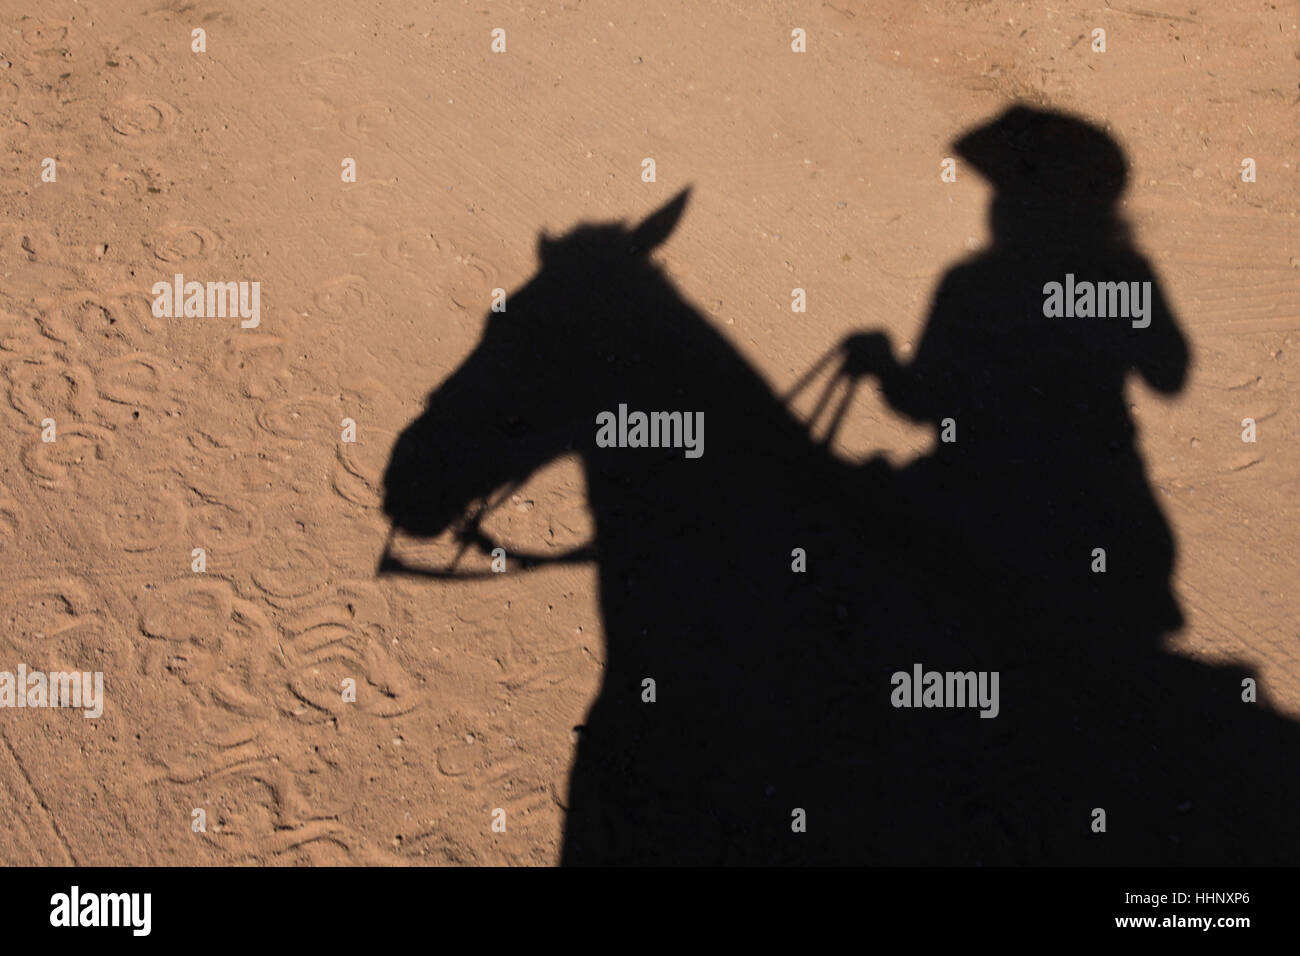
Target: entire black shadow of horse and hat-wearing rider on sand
773, 737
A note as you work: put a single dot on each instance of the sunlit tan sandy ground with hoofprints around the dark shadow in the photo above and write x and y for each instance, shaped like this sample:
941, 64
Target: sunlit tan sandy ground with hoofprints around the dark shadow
820, 171
